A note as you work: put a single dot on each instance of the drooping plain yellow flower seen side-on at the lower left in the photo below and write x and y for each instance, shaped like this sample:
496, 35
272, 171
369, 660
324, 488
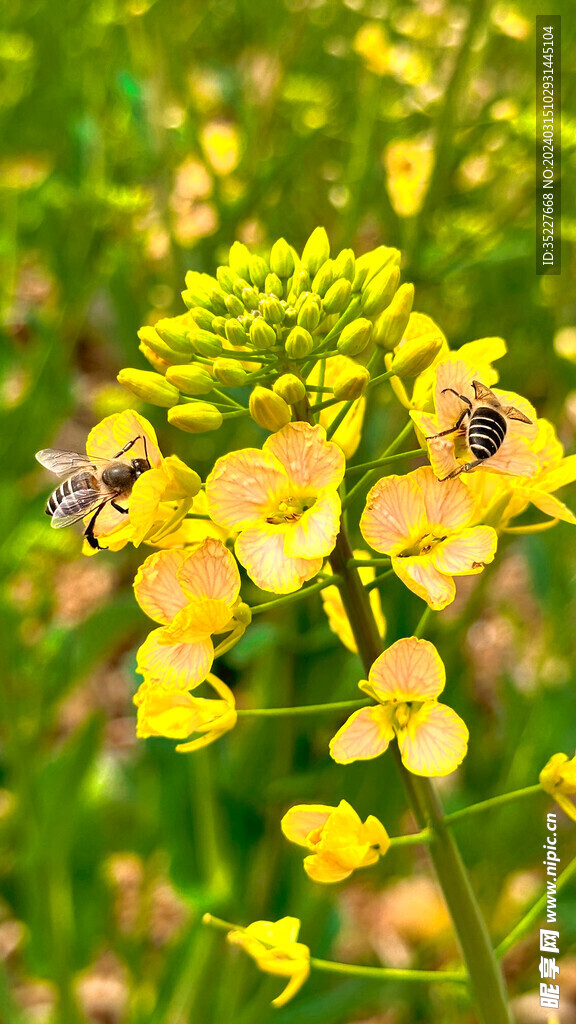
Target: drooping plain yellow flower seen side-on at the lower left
177, 714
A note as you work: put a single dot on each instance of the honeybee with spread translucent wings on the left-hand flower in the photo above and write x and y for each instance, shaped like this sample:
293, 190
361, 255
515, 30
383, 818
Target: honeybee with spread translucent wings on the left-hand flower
91, 486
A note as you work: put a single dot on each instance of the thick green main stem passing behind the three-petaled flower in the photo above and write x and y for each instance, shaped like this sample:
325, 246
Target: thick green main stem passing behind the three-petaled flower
486, 978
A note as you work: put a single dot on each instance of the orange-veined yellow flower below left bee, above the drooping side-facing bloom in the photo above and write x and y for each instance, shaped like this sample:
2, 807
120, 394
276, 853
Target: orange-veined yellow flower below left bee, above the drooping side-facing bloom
194, 595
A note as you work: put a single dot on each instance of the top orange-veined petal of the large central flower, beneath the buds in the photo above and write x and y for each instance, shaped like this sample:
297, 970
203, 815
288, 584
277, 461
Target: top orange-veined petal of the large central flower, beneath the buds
310, 461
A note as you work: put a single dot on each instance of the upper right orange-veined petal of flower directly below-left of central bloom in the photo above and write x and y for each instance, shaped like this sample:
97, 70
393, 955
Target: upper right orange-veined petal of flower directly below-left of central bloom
211, 572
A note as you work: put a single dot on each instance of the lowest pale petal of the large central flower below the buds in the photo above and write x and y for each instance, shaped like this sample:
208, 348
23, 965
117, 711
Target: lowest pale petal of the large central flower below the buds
261, 550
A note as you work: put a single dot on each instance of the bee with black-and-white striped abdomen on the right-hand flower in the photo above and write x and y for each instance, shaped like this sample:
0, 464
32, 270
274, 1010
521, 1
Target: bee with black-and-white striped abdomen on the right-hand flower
486, 426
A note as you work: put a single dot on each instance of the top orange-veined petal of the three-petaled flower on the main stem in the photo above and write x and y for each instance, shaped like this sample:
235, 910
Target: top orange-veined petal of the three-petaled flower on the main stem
410, 670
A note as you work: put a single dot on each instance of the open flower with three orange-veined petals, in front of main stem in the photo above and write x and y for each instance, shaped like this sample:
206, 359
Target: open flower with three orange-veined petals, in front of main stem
406, 681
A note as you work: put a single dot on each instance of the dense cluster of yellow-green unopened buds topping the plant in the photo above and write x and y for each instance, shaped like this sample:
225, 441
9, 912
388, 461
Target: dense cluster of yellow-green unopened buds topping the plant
262, 324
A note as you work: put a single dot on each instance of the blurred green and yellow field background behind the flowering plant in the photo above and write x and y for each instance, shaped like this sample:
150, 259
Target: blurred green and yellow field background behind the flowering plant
139, 141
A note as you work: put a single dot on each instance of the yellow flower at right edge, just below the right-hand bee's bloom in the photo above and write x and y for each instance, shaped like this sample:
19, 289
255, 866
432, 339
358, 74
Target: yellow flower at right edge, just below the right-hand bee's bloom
505, 498
